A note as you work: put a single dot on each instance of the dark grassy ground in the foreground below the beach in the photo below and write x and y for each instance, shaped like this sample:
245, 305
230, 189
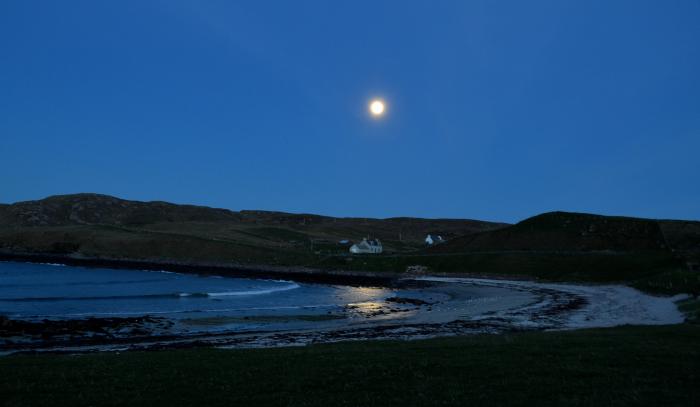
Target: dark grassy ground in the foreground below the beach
618, 366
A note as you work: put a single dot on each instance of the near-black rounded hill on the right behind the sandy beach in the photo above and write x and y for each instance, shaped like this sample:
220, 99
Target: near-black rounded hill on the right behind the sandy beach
653, 255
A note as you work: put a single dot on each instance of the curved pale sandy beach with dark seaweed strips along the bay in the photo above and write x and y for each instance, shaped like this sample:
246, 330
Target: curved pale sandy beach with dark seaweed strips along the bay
541, 307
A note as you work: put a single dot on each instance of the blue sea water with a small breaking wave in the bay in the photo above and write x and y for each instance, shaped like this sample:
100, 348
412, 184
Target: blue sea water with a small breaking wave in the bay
38, 291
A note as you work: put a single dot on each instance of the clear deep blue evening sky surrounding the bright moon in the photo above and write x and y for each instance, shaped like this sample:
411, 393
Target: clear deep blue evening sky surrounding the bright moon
497, 110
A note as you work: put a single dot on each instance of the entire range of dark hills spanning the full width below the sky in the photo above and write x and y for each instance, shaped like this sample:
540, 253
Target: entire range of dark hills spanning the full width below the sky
557, 246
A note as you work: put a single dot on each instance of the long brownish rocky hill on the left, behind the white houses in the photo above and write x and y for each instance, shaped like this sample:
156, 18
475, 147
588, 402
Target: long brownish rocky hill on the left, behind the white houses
104, 226
